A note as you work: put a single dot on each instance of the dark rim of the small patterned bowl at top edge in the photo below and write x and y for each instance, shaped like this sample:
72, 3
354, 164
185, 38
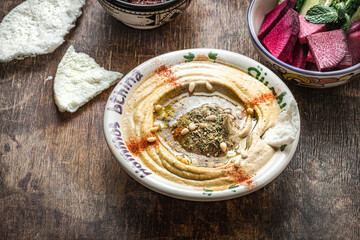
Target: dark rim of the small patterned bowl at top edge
139, 7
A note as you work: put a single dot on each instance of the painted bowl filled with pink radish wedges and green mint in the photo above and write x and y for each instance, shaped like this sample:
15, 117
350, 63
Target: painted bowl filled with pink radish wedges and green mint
312, 43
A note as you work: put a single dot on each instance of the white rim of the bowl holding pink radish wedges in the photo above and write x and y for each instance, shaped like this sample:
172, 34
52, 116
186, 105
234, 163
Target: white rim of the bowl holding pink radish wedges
292, 68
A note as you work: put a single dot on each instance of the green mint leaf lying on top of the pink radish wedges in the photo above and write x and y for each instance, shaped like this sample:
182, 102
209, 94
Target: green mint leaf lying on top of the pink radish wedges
321, 14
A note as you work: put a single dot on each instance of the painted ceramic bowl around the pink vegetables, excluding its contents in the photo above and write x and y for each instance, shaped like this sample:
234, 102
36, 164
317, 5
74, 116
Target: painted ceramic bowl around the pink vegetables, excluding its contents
314, 79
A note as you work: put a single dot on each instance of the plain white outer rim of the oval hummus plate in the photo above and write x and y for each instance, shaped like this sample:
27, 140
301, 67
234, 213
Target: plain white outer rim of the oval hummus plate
270, 173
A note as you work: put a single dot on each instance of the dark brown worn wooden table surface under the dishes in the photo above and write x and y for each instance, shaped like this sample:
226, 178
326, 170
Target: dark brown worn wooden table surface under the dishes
58, 179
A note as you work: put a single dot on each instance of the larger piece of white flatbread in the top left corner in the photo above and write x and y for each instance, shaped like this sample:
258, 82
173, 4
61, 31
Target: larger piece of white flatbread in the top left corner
37, 27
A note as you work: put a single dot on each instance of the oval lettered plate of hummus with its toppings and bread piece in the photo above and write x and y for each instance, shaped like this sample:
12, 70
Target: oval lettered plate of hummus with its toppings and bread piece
202, 124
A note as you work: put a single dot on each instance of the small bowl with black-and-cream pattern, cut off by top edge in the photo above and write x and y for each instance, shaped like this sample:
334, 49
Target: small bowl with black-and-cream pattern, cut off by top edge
144, 16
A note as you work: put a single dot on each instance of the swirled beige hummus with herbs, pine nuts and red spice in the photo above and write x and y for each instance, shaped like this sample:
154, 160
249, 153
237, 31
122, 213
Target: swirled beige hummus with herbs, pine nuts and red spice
200, 124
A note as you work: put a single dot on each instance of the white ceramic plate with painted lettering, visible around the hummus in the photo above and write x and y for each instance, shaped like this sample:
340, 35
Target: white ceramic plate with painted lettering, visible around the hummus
113, 121
